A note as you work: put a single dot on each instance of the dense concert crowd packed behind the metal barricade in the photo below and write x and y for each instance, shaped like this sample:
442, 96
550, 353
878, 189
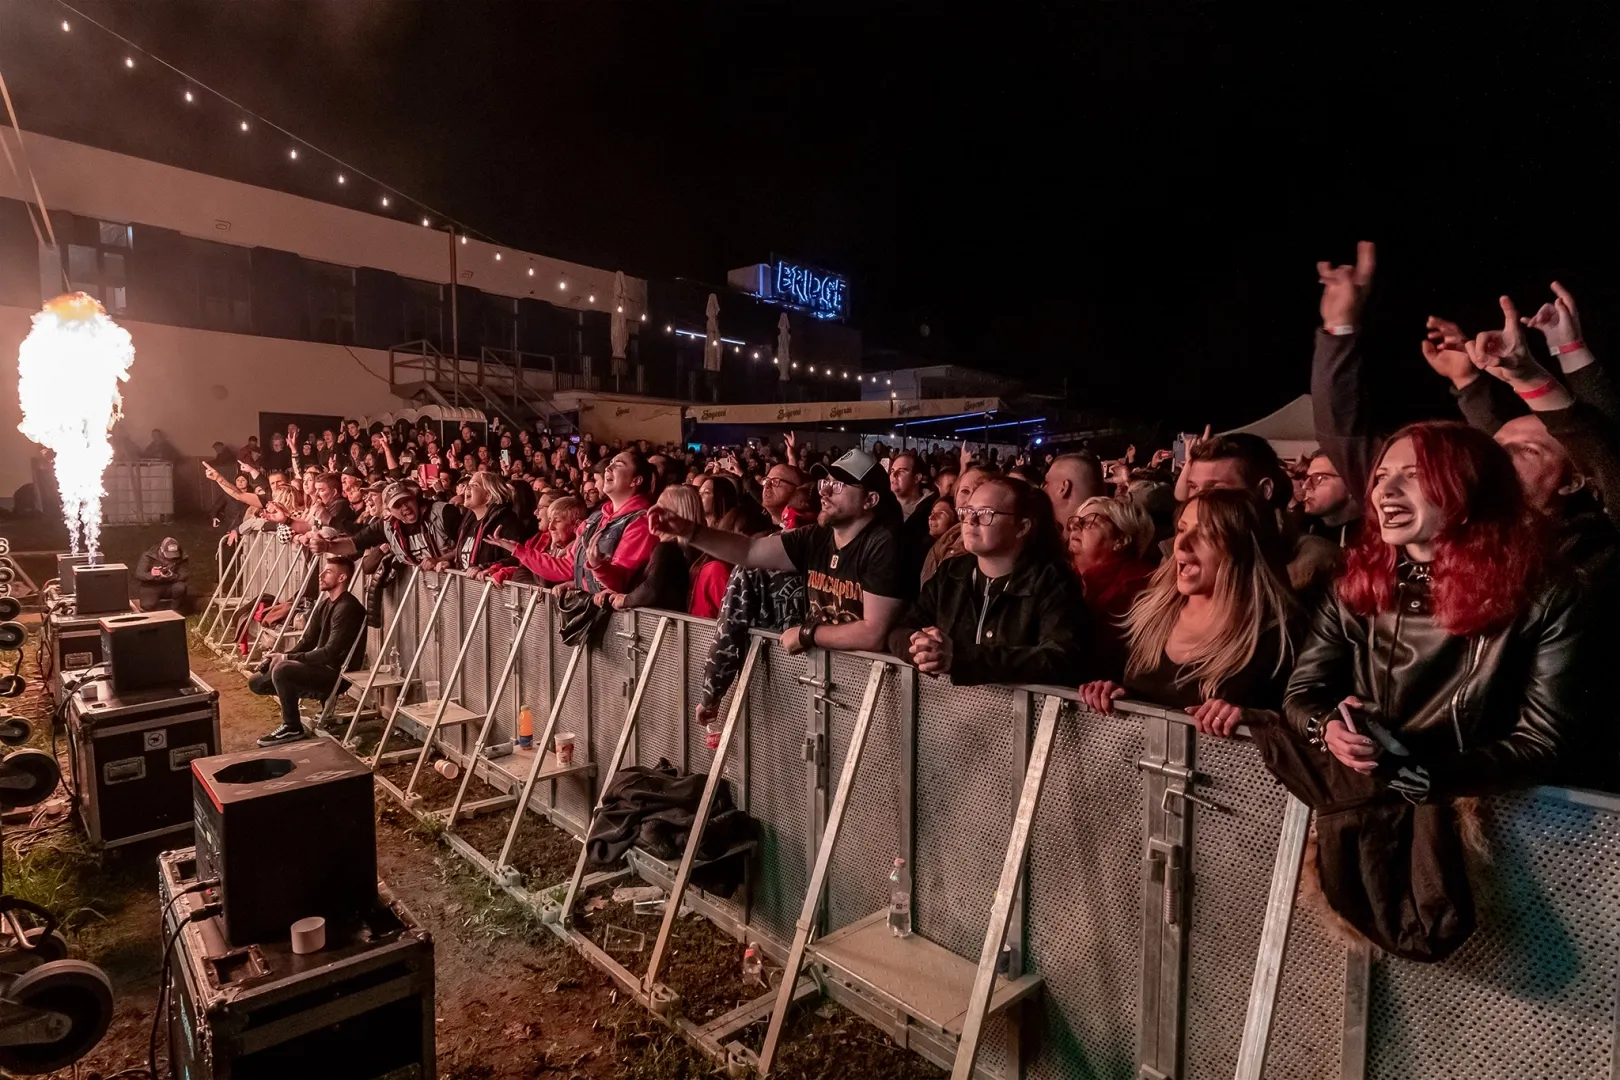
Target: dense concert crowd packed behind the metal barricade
1399, 619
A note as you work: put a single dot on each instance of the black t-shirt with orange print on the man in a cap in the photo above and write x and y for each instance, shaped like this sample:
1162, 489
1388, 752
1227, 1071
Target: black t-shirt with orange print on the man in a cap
838, 579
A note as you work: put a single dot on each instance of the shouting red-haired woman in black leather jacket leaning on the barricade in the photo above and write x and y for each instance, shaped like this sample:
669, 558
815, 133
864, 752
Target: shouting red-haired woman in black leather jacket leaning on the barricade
1446, 663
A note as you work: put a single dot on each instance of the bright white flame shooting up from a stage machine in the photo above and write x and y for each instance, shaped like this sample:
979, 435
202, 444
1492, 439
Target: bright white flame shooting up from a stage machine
69, 372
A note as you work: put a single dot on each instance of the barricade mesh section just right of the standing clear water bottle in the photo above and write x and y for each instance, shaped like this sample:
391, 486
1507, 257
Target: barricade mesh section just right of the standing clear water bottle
965, 809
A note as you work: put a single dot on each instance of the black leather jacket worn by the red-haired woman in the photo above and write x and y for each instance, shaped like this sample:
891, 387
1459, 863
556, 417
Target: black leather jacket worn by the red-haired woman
1477, 715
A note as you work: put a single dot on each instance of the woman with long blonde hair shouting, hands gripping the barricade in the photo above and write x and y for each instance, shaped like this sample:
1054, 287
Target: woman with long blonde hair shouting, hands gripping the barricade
1213, 631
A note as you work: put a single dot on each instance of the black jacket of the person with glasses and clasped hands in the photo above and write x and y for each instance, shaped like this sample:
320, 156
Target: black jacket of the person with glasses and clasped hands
1030, 627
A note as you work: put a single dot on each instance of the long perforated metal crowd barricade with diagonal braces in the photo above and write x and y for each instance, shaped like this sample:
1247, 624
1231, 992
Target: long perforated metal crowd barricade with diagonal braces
1156, 901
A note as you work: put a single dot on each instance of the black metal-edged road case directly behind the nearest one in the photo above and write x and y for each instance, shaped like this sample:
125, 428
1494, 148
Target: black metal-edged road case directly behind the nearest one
132, 759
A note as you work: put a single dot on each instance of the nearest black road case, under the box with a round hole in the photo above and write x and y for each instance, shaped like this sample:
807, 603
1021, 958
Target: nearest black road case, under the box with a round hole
360, 1010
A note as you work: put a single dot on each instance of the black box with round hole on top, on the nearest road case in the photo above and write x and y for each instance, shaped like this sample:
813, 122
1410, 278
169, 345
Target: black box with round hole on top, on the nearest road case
289, 833
